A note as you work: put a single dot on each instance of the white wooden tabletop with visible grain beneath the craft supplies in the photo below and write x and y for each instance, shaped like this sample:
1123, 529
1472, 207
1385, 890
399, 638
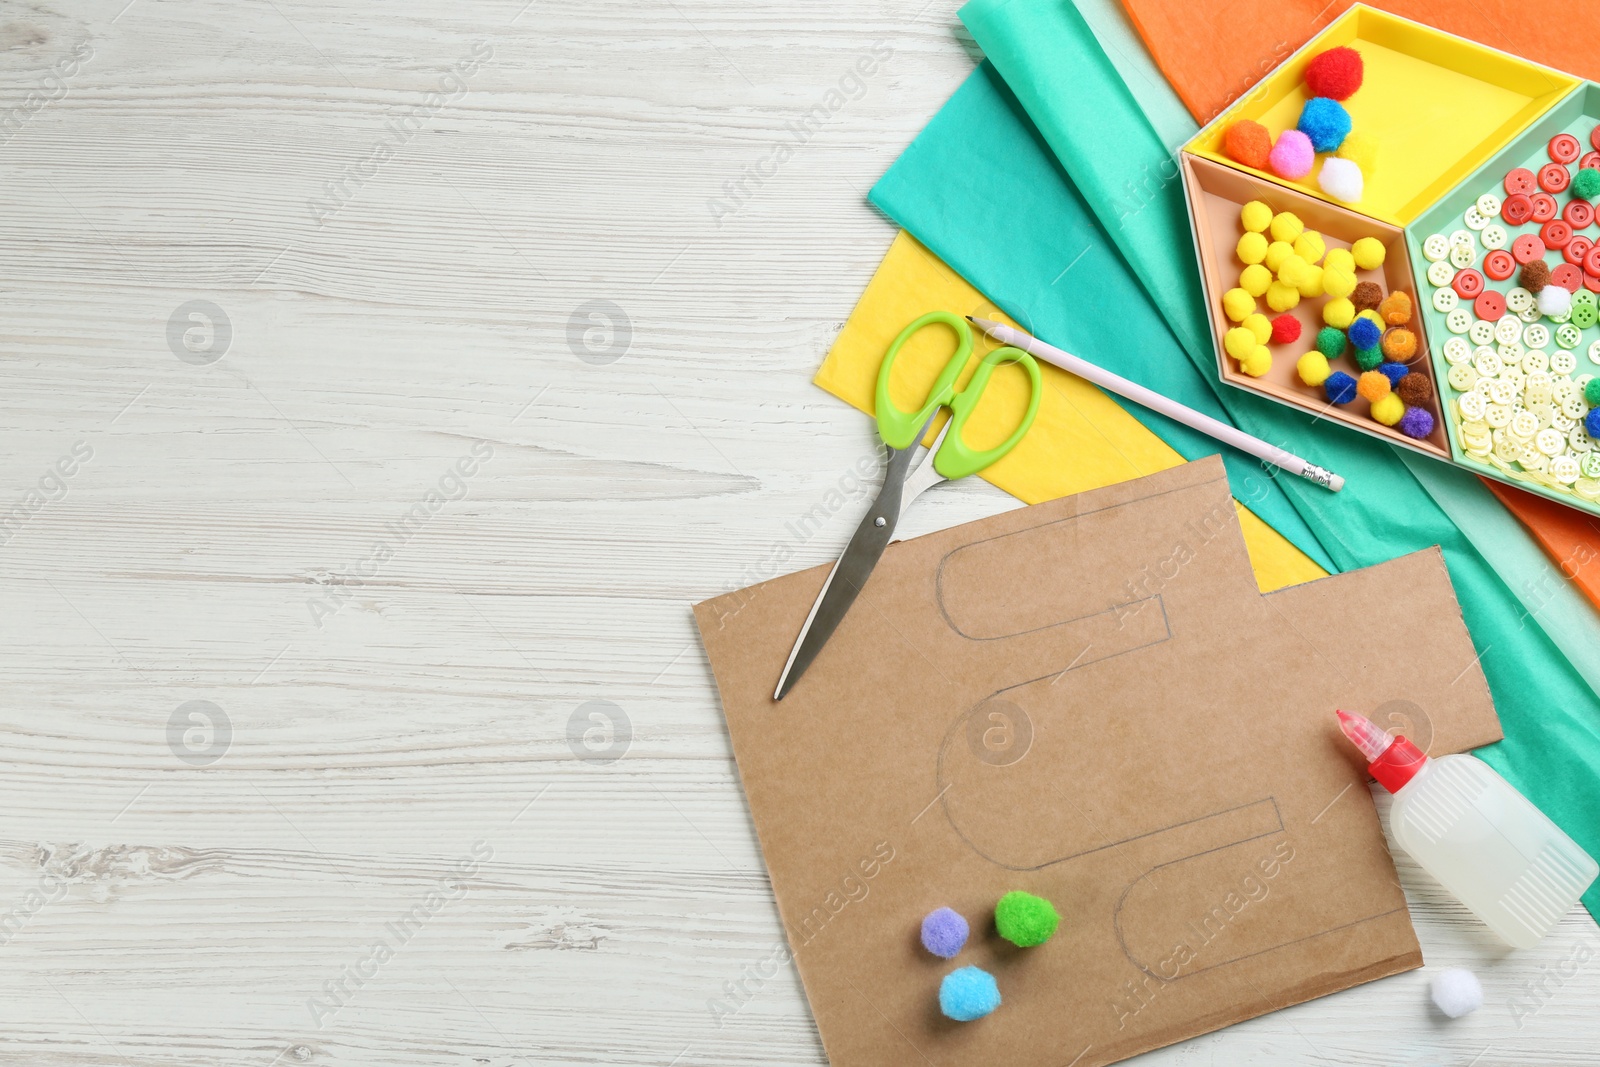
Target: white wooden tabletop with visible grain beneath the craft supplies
340, 529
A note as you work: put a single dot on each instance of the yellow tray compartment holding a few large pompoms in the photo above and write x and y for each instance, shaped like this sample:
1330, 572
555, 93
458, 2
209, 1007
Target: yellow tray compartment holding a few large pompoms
1436, 105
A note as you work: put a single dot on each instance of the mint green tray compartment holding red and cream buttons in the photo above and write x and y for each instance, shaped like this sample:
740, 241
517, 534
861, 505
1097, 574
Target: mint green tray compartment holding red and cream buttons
1570, 350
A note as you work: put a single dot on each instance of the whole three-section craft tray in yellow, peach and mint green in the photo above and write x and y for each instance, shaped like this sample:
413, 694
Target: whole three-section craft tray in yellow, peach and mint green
1452, 121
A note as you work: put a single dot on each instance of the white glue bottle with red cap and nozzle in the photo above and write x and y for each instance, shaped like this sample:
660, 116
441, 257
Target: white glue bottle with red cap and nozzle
1473, 831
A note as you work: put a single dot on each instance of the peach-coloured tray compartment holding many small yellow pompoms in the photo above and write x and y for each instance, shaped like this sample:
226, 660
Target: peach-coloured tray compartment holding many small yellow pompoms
1217, 194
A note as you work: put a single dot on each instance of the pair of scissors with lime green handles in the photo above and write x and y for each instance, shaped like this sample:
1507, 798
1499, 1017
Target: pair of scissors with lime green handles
910, 474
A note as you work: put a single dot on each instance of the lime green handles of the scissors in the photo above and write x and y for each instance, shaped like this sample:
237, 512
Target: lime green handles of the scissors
954, 460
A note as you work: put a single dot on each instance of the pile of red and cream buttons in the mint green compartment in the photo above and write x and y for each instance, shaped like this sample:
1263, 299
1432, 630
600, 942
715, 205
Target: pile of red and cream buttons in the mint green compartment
1513, 354
